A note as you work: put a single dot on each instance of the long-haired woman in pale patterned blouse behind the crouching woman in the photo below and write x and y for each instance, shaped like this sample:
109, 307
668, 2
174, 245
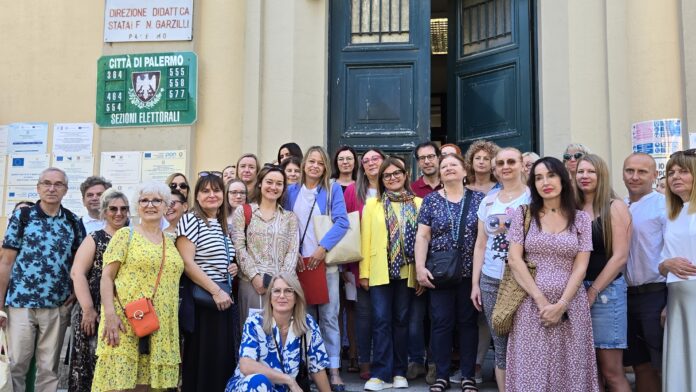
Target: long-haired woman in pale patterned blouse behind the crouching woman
269, 244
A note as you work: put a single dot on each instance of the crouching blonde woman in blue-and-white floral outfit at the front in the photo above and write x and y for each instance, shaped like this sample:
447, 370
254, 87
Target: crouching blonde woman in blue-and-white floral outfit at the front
271, 351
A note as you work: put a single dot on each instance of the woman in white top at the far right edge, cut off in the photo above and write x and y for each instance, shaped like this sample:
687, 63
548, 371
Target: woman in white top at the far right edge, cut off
678, 265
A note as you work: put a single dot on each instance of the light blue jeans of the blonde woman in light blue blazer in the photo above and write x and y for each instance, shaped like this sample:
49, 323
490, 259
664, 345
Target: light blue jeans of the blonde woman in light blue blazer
327, 315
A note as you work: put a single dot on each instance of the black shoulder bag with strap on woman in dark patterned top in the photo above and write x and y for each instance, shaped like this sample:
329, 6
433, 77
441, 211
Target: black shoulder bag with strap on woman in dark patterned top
446, 267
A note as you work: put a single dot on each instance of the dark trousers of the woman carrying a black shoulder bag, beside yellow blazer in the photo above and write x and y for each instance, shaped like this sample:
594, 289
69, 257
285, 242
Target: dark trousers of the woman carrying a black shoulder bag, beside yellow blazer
448, 307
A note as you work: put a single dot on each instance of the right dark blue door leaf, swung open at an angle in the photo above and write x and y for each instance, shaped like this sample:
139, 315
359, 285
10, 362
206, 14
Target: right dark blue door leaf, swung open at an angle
491, 73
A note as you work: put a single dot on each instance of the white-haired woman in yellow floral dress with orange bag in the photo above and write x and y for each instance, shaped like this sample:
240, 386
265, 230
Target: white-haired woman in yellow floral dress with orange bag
131, 264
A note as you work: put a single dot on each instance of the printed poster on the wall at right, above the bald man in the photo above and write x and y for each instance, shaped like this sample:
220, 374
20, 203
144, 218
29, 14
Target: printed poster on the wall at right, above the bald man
659, 138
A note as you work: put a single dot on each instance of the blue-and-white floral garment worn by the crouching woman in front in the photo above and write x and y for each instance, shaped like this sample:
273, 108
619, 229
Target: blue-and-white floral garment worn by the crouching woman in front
259, 346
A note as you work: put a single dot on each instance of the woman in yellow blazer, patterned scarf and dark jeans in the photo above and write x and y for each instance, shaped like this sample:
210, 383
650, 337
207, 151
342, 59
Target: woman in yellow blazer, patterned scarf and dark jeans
388, 271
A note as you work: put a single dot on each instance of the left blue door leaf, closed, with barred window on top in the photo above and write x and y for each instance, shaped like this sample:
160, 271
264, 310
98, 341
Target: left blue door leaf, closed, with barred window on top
379, 93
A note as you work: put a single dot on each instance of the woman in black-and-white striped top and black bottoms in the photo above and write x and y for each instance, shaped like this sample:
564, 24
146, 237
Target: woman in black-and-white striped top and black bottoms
207, 318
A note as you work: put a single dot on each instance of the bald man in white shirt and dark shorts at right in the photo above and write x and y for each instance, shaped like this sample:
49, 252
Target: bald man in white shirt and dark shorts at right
647, 292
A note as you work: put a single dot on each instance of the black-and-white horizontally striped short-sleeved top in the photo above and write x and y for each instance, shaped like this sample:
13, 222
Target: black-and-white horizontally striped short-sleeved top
209, 239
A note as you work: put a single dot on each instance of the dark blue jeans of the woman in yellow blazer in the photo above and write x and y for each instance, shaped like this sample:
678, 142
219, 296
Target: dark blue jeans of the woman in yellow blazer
390, 303
